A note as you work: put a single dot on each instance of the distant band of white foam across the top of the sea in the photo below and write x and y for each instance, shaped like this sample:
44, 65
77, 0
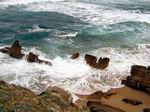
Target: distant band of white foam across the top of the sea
91, 13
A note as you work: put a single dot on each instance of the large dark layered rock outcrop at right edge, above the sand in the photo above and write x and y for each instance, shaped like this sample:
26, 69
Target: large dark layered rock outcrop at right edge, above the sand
139, 79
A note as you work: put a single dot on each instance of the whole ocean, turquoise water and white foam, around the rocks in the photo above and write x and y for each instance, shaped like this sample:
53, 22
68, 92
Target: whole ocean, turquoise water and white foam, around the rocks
54, 29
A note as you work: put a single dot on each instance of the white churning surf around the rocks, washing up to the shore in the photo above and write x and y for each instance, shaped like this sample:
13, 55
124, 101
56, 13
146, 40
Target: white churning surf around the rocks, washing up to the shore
74, 75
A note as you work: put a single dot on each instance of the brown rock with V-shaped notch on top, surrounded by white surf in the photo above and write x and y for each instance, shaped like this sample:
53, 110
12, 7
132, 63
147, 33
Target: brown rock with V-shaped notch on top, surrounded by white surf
102, 63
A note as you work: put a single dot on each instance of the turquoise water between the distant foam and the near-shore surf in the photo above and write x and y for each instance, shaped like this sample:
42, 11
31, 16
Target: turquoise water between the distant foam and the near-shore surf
54, 29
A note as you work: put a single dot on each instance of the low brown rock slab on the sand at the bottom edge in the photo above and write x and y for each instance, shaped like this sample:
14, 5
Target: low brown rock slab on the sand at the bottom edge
98, 107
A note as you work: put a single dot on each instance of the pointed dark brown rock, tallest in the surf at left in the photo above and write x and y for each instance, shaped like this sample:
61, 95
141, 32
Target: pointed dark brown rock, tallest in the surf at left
15, 50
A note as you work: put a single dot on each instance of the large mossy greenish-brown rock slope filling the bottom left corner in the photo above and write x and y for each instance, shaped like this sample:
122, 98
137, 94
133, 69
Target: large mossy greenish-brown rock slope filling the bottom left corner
19, 99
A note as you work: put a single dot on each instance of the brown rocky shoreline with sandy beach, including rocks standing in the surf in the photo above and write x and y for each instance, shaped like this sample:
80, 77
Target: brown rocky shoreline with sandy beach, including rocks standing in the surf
134, 97
